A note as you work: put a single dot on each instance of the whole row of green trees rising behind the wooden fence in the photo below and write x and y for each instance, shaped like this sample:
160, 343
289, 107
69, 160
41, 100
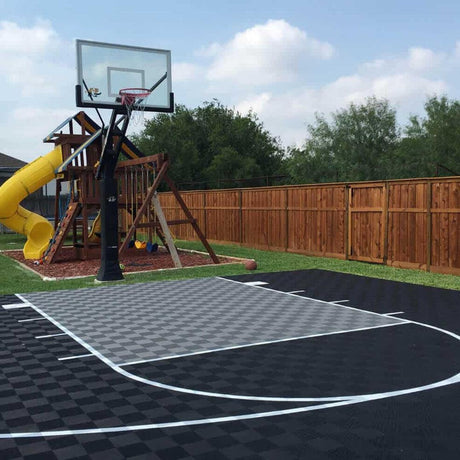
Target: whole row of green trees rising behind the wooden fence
212, 145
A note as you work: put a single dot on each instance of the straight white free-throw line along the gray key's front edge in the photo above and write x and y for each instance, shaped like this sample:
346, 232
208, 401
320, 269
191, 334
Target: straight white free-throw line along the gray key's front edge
256, 344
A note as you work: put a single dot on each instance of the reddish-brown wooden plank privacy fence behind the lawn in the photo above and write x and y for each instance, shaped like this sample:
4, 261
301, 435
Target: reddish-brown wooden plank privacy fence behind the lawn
412, 223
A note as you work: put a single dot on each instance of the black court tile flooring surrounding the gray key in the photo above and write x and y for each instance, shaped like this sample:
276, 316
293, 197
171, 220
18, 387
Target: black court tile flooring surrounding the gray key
39, 392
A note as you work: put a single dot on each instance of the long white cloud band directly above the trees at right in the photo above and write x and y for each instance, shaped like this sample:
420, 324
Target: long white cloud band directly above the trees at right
405, 81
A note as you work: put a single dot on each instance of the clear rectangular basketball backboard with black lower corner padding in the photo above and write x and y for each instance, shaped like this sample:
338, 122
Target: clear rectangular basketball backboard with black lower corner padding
103, 69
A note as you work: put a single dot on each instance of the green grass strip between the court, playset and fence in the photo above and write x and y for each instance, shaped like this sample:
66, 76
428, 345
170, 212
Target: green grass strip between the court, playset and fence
16, 279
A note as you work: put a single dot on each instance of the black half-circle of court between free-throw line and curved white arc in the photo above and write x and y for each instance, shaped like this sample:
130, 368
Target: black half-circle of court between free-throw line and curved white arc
371, 361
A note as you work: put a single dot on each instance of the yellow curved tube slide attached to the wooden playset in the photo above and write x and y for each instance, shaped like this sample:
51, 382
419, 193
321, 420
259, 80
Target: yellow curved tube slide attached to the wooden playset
24, 182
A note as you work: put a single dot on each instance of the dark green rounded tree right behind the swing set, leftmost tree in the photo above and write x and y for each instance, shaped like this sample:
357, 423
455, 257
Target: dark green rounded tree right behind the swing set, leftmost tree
211, 144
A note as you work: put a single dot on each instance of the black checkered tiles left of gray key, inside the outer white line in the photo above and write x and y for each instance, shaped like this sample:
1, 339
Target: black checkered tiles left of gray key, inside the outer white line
38, 392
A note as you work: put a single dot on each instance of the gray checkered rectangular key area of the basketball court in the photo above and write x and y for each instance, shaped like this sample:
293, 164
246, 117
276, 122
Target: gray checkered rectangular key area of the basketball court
147, 321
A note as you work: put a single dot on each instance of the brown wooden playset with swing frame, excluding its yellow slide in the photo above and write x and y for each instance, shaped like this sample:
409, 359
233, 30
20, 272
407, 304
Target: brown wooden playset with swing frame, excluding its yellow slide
140, 216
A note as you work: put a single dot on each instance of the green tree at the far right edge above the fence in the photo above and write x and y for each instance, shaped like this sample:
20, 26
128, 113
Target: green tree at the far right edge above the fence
431, 145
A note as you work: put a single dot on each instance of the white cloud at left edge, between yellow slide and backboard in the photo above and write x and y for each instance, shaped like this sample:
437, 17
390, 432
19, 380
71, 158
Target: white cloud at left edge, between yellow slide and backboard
37, 77
